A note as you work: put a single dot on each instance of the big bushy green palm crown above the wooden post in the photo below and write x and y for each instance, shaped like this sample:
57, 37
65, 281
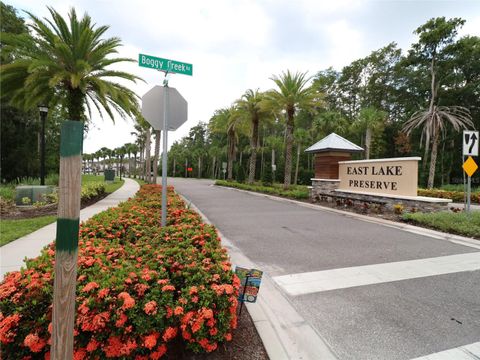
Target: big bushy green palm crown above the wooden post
66, 63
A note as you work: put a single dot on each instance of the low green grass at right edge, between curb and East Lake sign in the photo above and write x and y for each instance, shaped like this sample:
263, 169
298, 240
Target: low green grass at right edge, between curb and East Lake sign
458, 223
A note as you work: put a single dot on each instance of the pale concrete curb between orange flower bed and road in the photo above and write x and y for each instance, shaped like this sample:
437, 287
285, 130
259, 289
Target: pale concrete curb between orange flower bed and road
284, 333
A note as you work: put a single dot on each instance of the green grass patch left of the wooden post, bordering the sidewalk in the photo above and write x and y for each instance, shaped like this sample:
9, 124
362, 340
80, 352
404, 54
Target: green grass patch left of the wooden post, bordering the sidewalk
13, 229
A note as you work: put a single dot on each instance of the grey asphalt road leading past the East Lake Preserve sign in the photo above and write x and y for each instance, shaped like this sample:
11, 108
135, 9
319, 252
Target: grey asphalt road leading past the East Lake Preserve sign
404, 319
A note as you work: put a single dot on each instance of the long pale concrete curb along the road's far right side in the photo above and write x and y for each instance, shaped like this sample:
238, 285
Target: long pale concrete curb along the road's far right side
457, 239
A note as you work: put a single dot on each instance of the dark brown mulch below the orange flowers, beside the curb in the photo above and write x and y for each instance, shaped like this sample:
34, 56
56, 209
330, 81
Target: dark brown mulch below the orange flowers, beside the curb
245, 344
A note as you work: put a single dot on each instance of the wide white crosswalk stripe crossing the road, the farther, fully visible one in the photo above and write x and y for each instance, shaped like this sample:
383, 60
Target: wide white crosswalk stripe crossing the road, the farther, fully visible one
318, 281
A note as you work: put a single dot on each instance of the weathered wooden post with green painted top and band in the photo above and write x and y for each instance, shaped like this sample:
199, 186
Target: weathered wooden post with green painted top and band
66, 245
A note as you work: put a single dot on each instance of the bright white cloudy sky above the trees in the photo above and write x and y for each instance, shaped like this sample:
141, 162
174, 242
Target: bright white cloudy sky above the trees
235, 45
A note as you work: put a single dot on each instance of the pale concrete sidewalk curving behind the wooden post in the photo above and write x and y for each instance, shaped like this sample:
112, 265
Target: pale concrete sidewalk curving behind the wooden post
29, 246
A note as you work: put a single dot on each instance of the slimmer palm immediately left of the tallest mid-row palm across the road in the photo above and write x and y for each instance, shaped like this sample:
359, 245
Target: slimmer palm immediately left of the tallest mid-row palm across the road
252, 106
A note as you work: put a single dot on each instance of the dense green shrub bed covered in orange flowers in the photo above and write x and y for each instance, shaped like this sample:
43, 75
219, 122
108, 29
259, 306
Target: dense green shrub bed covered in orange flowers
139, 287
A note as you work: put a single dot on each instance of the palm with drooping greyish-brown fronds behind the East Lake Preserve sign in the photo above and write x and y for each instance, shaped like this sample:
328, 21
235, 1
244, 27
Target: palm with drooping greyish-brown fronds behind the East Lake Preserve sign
433, 122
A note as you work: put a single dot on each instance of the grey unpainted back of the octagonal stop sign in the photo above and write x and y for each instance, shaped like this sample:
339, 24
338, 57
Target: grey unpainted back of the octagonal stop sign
152, 108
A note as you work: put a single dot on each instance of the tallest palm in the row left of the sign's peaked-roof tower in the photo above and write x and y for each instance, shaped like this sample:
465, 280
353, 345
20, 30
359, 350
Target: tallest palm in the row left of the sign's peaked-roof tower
291, 95
